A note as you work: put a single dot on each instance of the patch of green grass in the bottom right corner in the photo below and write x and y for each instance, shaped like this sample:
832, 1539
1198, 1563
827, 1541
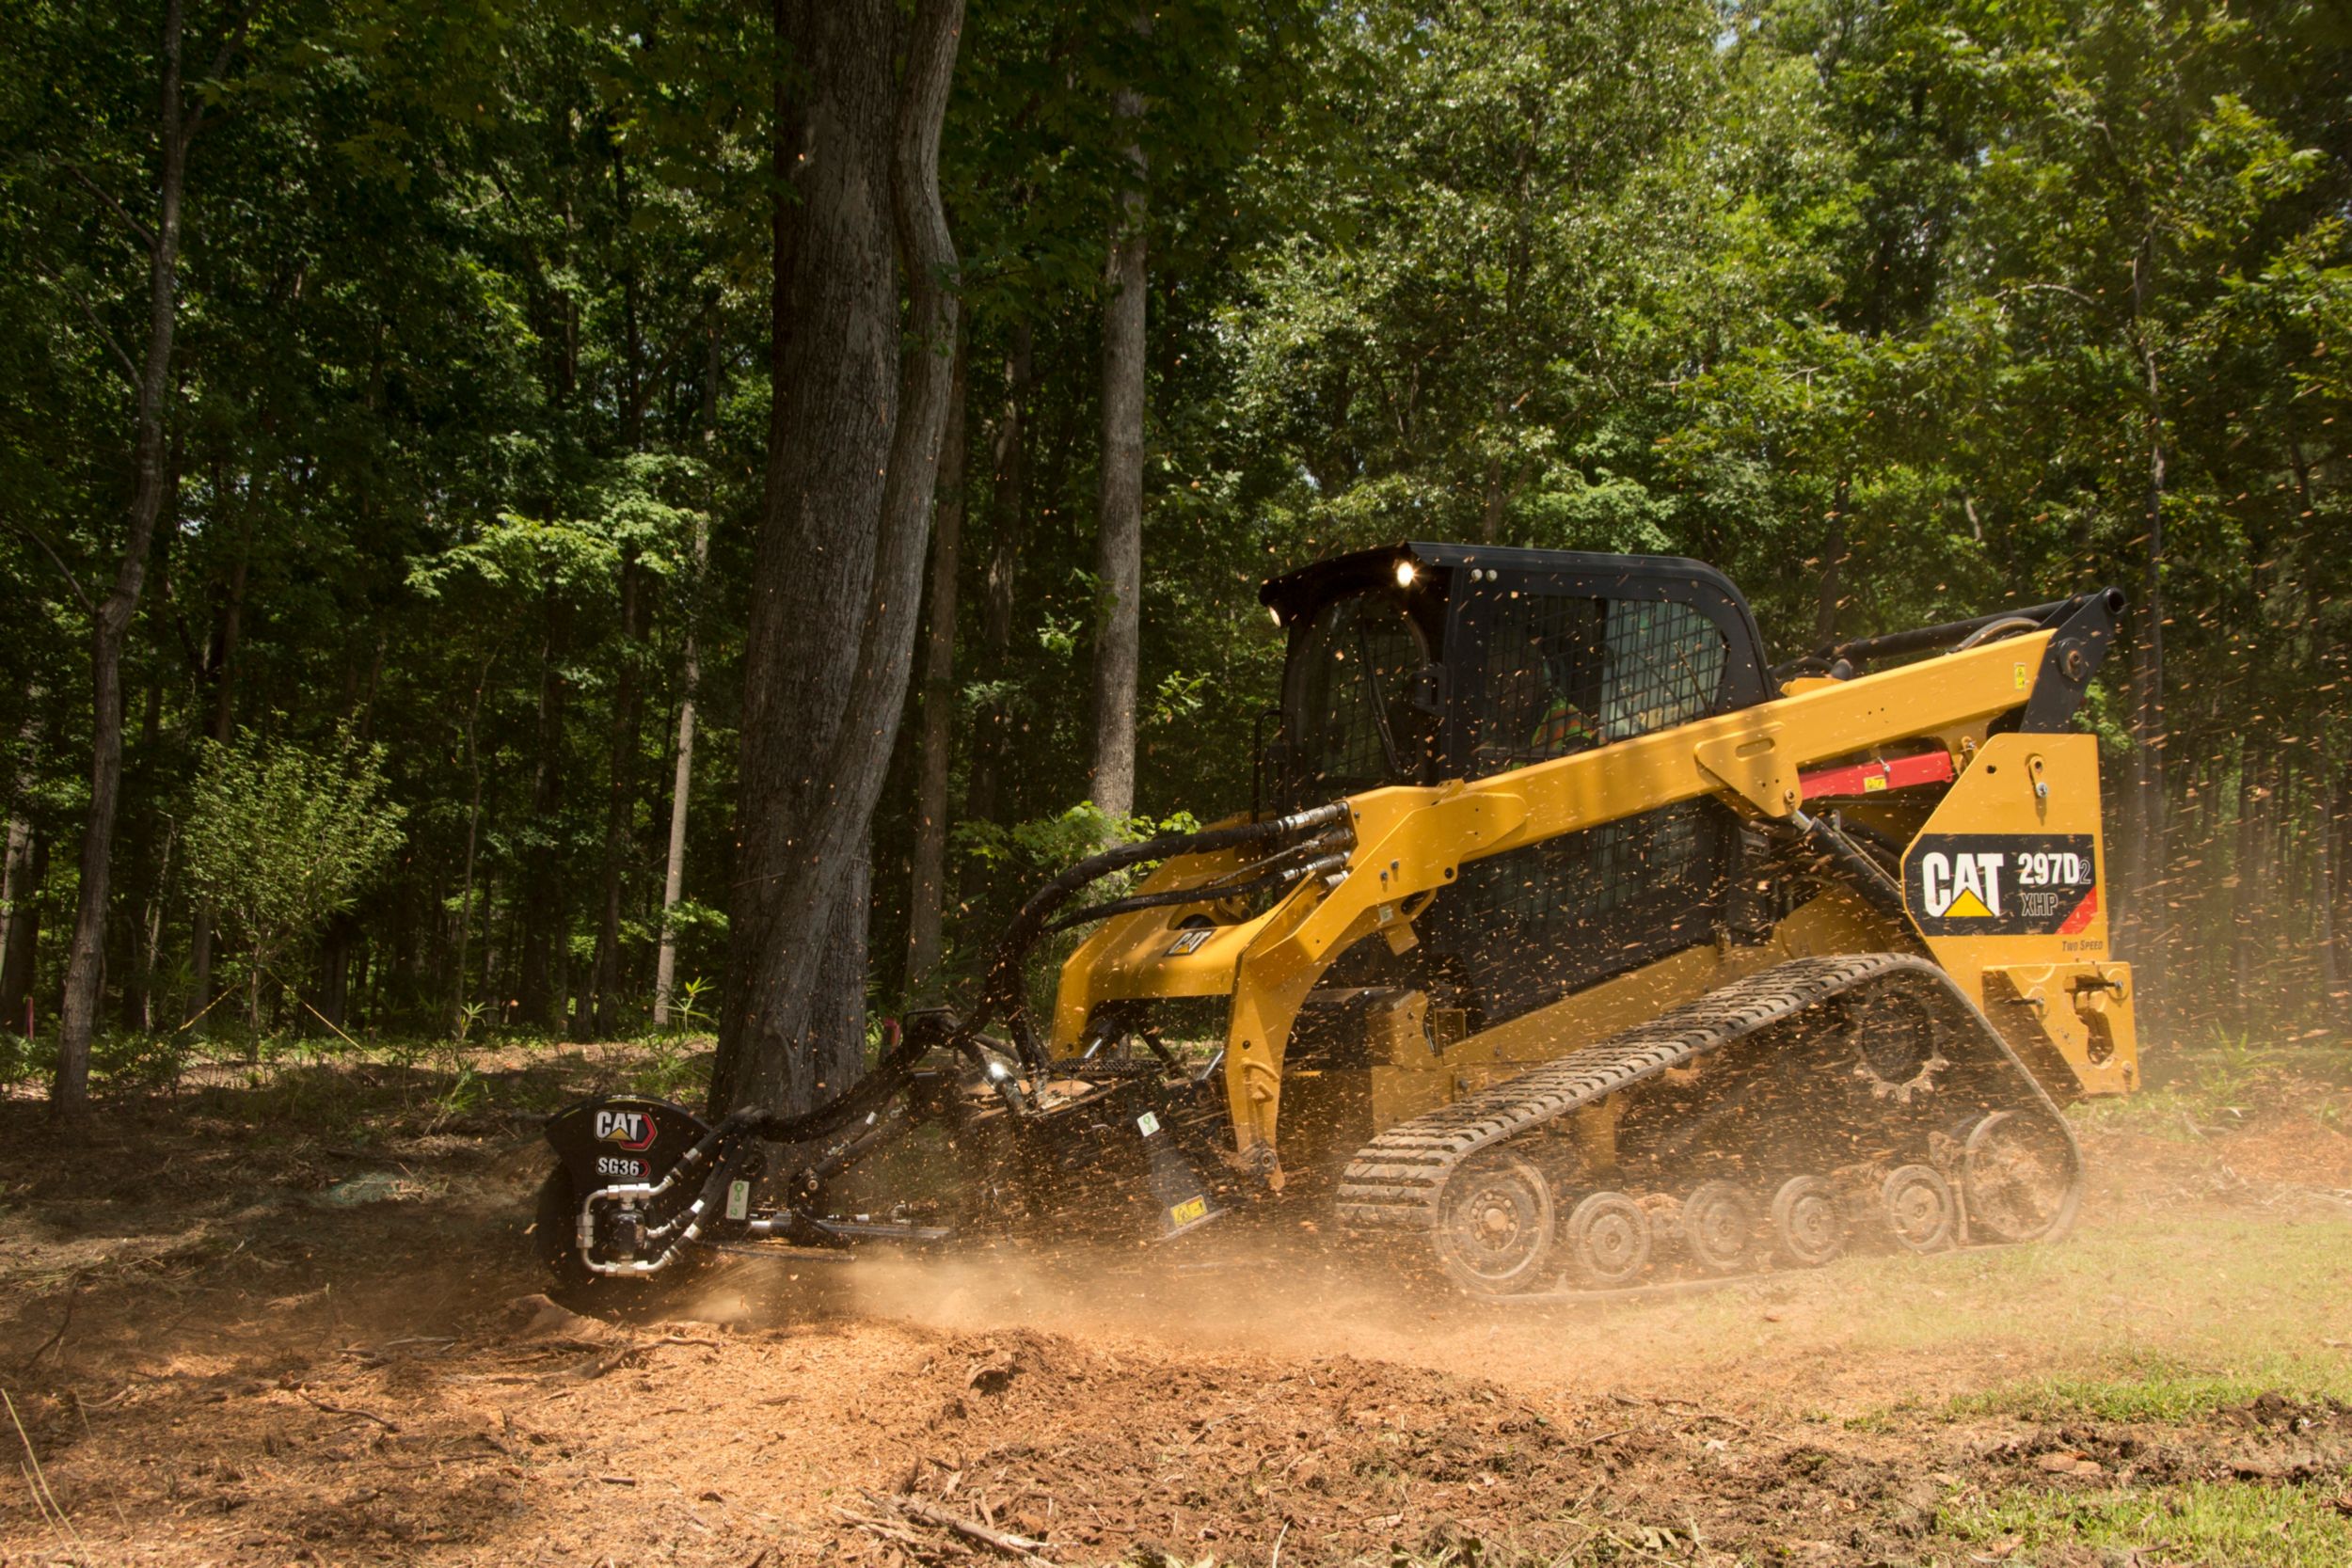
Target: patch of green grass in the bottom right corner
2203, 1522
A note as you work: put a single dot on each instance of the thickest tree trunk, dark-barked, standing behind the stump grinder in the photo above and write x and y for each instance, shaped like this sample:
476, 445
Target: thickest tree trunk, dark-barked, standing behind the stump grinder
838, 568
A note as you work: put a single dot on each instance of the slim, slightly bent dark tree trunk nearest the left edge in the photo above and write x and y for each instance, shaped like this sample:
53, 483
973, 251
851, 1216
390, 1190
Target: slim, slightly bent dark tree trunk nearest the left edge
112, 617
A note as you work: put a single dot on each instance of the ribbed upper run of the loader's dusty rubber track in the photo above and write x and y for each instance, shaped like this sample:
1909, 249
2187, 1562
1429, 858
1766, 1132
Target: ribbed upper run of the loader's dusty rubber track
1396, 1179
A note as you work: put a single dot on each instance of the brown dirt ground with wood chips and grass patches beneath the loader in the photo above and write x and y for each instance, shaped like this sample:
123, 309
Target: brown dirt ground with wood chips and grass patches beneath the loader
302, 1327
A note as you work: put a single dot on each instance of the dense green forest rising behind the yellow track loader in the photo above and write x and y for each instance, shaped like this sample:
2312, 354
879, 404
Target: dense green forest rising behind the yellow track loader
394, 464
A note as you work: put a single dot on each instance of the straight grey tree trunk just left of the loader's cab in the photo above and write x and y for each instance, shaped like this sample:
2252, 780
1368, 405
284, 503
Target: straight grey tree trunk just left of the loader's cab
1118, 544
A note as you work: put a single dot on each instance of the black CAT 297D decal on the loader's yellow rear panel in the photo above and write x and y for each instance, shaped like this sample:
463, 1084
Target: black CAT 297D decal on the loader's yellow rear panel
2000, 883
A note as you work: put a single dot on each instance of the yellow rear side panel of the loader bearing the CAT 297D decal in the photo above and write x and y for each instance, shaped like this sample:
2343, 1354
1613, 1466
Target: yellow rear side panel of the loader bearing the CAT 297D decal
2007, 883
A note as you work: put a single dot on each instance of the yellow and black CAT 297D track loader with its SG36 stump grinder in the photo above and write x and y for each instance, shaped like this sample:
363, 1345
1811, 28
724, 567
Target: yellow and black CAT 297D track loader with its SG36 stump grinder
1568, 949
